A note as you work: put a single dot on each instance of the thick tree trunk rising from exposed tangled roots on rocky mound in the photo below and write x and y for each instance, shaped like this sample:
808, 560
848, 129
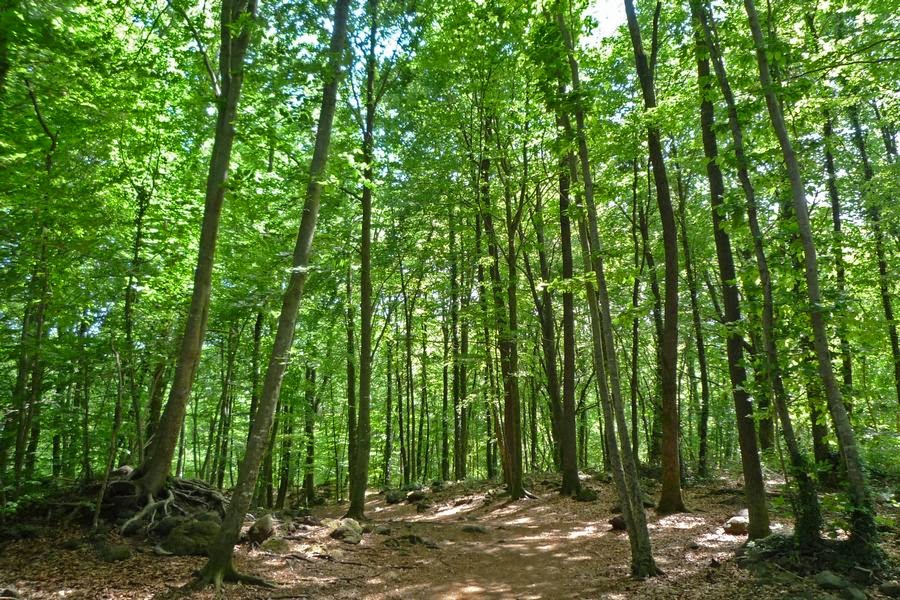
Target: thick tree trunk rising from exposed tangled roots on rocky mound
236, 23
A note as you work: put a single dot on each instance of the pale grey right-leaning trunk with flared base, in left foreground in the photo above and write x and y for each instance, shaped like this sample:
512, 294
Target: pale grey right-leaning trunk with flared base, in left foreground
219, 566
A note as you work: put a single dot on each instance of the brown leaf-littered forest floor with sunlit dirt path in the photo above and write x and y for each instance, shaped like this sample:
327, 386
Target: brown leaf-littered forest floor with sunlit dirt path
471, 543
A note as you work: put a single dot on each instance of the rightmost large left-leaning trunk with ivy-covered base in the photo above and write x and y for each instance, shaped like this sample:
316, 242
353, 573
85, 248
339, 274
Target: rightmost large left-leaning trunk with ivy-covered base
863, 532
